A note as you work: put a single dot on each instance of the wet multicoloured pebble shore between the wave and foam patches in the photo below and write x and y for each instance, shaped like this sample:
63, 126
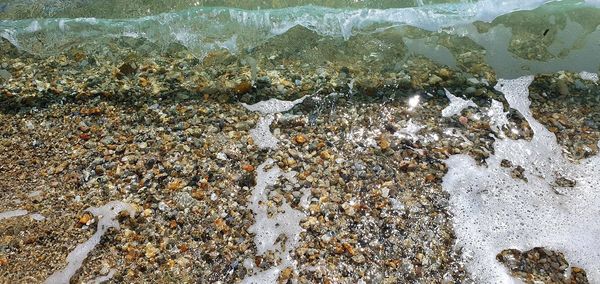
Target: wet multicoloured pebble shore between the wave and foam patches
170, 137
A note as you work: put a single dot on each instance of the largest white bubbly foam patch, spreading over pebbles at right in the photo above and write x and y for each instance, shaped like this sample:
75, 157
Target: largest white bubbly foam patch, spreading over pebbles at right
493, 211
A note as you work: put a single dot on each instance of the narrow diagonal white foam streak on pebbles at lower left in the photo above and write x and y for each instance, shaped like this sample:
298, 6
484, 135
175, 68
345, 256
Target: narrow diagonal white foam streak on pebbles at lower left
106, 219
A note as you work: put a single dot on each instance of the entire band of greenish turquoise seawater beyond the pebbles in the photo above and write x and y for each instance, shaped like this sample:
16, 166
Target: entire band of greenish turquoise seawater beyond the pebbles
519, 36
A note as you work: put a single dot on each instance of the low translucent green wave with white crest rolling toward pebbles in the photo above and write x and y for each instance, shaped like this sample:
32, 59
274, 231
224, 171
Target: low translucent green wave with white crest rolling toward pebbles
205, 29
